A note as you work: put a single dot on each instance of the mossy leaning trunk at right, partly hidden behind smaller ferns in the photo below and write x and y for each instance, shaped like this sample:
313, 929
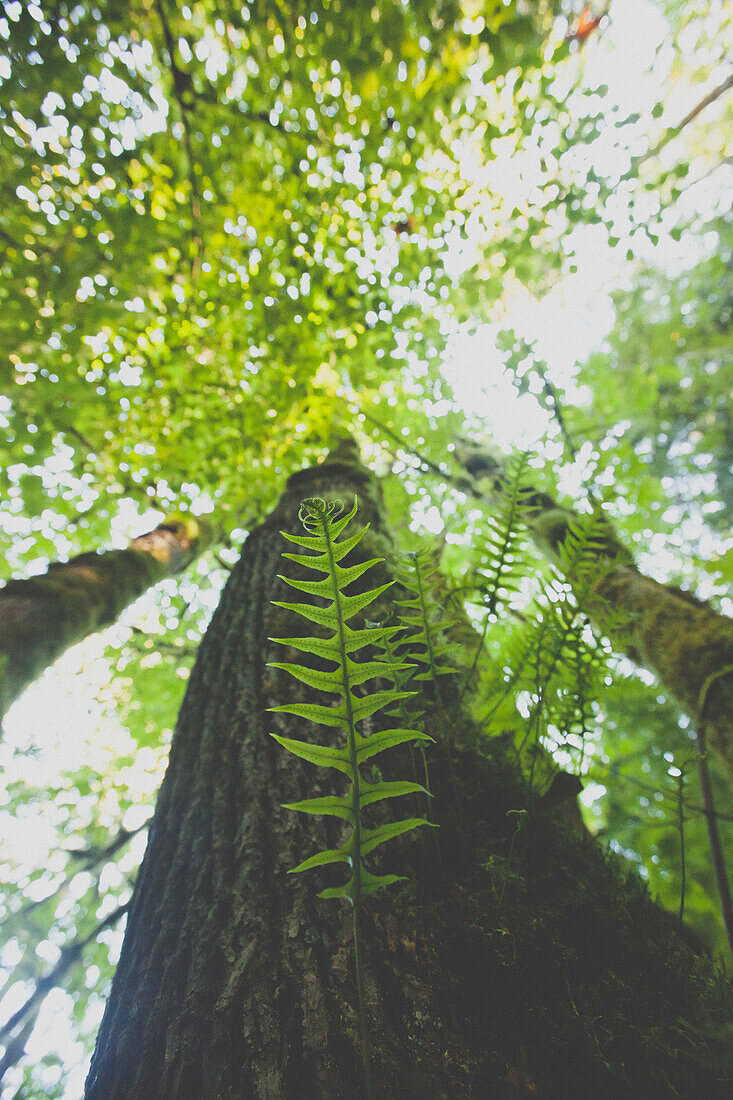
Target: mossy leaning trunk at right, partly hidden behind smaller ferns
682, 640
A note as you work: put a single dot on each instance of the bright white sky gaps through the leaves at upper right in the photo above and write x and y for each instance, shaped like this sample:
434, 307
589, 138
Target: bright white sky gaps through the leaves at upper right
572, 322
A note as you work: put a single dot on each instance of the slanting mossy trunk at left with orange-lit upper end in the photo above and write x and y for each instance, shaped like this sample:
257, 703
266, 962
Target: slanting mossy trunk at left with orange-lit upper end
41, 618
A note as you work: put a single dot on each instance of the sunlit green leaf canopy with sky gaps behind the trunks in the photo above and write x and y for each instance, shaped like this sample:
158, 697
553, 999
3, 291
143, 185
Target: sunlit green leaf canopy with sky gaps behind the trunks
233, 235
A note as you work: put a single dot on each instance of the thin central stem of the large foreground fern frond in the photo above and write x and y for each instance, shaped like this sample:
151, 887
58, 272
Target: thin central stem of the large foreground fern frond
356, 850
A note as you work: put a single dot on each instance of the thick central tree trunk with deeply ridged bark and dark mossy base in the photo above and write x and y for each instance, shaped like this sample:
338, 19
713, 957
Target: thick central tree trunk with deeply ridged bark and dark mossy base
511, 965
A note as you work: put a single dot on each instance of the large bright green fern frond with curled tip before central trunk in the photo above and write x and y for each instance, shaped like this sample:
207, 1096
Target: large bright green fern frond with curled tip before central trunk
326, 523
